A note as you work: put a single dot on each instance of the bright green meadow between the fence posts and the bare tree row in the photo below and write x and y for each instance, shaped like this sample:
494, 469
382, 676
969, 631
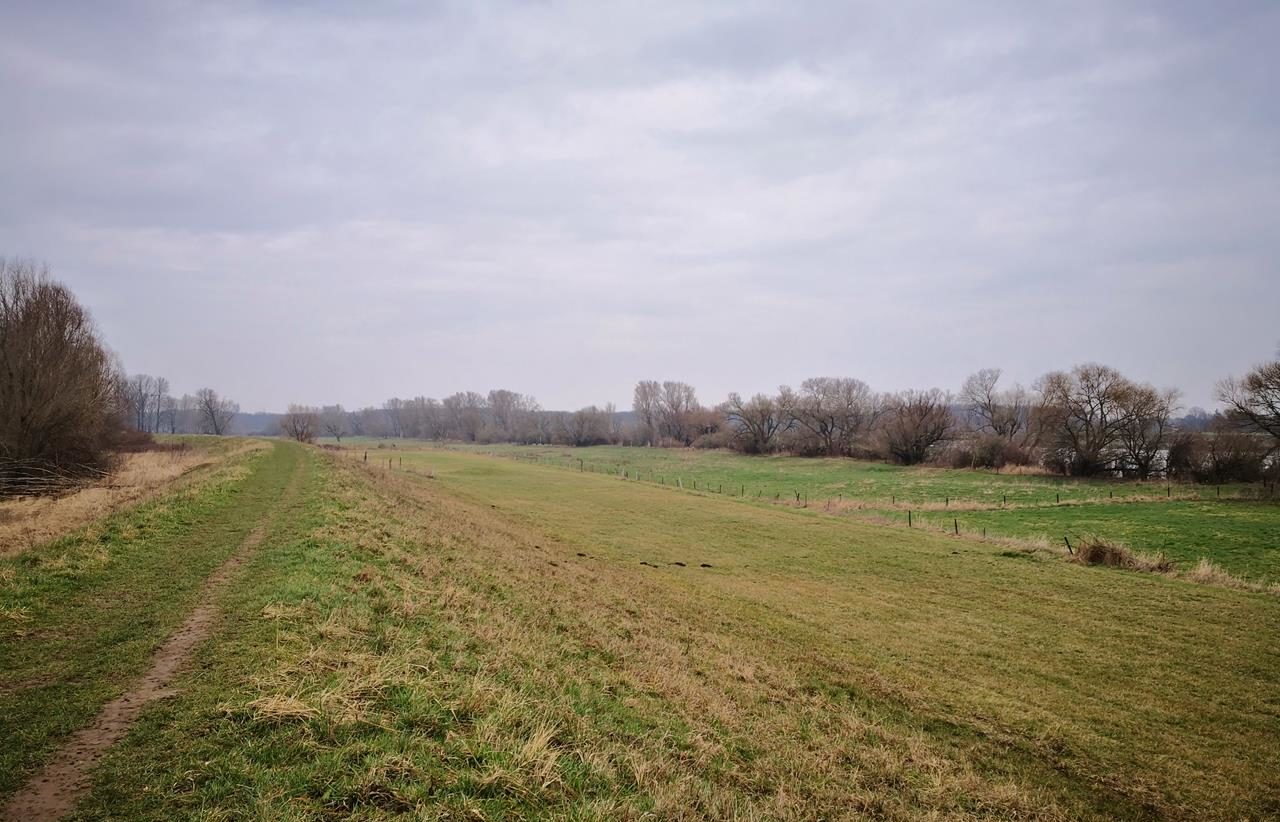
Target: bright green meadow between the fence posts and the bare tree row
1228, 526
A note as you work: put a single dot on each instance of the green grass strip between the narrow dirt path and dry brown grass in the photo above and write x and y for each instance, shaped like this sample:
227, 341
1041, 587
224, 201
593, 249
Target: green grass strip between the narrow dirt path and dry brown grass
81, 616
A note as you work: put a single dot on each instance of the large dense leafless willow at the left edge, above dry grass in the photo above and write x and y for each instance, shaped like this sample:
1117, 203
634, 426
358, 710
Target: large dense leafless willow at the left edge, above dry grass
61, 391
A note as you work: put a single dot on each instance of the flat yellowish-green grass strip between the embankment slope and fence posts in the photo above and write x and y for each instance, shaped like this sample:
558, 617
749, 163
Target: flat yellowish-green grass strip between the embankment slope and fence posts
1126, 682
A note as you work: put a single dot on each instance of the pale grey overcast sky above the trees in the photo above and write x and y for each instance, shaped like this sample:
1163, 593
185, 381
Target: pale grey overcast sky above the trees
296, 203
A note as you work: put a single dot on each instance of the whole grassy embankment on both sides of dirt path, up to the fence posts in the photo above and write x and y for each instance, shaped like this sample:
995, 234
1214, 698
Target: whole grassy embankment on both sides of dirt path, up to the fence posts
472, 638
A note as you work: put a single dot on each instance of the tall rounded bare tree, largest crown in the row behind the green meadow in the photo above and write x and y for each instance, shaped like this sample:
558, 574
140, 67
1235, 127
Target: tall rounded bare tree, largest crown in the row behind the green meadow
1085, 412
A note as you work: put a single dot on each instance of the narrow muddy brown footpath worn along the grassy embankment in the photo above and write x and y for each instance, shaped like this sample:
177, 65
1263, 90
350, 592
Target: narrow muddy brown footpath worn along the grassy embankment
54, 792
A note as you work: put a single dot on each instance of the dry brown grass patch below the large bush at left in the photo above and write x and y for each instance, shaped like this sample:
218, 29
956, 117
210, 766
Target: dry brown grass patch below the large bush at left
30, 522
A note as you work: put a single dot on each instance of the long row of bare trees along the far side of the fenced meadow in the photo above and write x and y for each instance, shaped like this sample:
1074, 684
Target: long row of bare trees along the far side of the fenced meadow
1089, 421
